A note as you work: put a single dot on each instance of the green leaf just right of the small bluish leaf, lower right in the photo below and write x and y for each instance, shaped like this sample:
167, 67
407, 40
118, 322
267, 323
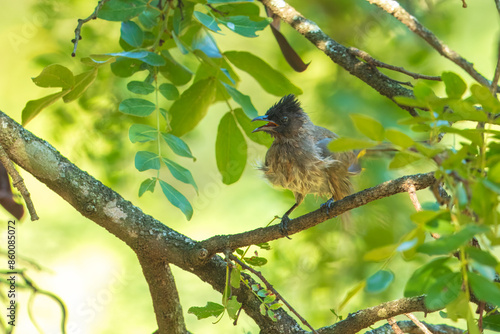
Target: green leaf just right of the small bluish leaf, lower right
424, 277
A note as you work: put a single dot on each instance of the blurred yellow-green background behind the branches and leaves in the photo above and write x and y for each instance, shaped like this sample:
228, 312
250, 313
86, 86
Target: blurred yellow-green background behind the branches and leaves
99, 277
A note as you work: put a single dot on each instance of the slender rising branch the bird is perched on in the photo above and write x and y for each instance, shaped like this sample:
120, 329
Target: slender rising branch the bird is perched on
220, 243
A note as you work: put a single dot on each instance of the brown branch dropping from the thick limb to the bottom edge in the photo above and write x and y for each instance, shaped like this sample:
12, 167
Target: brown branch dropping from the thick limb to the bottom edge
166, 301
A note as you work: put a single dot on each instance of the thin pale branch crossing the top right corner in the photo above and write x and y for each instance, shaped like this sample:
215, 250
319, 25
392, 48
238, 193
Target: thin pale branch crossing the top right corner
394, 8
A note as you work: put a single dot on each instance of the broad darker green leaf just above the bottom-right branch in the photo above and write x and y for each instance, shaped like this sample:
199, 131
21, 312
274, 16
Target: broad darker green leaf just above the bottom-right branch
445, 289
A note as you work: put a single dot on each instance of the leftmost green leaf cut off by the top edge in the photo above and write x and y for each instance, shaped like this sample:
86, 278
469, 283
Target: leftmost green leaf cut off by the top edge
121, 10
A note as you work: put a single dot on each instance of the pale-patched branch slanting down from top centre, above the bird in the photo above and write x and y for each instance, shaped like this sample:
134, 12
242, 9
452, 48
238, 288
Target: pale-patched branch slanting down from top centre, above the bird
338, 52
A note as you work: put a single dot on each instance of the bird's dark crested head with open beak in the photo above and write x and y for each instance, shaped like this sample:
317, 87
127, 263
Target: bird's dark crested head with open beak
285, 118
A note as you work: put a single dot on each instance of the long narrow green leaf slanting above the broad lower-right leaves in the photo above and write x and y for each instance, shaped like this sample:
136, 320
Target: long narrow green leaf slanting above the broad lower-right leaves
451, 243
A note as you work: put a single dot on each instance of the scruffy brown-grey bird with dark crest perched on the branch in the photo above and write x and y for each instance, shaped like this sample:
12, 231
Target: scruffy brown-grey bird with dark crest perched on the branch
299, 158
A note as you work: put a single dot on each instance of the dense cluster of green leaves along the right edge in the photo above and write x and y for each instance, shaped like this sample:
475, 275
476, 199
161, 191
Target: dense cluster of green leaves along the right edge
462, 144
